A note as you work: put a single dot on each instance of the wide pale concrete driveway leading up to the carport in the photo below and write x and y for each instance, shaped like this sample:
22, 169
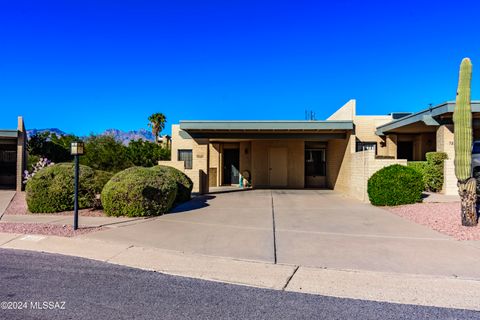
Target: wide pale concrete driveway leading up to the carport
302, 227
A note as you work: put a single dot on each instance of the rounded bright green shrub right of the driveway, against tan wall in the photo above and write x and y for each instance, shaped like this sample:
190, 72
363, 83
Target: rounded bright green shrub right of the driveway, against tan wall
395, 185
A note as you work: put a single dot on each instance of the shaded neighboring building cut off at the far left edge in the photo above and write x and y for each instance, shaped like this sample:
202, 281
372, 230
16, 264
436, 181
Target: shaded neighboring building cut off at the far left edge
13, 156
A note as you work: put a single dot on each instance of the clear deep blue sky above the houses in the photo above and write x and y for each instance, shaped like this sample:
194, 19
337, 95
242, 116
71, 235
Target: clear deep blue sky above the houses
84, 66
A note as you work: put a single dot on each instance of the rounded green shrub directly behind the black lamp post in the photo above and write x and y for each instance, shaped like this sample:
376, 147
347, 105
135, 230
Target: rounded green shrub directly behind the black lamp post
52, 189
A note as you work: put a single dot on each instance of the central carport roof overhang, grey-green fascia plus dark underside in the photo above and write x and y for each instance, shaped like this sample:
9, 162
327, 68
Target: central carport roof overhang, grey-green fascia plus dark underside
267, 129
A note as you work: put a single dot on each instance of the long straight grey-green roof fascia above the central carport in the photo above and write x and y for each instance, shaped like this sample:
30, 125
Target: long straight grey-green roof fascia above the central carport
268, 125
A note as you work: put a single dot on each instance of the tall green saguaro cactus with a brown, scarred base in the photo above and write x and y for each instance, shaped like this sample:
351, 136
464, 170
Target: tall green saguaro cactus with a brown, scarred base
462, 120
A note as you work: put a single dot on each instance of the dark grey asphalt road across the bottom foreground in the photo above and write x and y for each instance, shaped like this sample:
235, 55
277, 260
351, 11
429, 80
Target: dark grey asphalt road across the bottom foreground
48, 286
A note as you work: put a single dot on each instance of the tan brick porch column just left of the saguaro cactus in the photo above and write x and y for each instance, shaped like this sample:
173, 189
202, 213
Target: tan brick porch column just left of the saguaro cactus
445, 144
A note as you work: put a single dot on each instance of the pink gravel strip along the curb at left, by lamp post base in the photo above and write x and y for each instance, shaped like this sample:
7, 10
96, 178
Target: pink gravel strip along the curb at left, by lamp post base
45, 229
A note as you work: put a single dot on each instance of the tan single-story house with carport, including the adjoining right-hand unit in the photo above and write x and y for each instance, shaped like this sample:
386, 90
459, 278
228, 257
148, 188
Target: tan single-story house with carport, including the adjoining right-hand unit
340, 153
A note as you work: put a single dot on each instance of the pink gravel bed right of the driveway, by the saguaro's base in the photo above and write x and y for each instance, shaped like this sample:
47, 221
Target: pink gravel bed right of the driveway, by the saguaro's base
442, 217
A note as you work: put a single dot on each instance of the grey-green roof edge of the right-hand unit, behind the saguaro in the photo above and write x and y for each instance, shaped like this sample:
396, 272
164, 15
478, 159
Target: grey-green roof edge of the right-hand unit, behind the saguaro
426, 116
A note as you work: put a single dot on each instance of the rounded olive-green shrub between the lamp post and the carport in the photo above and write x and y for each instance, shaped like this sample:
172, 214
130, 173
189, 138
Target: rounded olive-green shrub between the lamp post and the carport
139, 192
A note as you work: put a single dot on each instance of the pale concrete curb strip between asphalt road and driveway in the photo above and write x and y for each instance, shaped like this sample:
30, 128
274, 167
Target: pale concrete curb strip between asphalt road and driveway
423, 290
